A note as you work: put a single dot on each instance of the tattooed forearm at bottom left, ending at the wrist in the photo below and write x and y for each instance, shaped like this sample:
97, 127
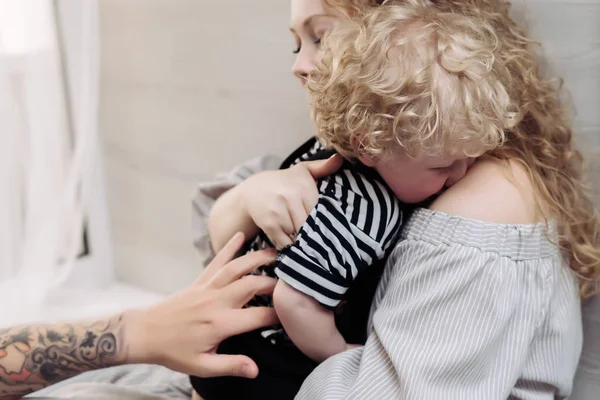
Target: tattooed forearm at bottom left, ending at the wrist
33, 357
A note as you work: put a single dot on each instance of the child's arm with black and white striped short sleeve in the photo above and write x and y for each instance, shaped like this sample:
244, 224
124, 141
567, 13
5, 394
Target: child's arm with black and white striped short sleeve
332, 248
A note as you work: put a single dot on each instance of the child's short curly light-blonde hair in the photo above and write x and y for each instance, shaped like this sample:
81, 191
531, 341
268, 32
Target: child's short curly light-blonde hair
412, 75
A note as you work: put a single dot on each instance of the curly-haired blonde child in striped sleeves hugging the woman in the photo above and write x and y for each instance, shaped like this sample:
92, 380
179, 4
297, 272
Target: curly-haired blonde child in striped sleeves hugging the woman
433, 84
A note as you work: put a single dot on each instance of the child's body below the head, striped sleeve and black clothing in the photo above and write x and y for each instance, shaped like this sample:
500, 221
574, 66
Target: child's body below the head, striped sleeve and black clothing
352, 228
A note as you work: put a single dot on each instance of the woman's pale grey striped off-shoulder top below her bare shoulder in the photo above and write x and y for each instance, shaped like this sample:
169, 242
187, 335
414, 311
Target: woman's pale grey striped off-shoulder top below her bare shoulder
465, 310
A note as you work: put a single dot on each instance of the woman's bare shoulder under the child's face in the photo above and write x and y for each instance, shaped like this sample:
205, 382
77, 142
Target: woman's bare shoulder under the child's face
492, 191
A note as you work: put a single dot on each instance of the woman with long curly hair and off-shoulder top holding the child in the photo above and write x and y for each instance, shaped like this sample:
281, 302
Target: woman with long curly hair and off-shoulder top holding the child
481, 304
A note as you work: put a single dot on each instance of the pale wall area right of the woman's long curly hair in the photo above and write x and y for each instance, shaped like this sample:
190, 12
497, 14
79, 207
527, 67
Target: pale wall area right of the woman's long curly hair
569, 31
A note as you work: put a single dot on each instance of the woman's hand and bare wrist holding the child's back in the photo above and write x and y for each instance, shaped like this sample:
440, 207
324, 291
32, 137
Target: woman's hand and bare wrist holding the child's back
276, 202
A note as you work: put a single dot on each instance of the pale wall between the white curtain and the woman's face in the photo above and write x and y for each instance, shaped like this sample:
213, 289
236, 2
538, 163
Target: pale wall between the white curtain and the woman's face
188, 88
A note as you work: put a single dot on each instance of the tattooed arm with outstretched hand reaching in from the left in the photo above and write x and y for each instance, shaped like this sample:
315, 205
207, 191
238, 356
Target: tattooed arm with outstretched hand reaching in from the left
179, 333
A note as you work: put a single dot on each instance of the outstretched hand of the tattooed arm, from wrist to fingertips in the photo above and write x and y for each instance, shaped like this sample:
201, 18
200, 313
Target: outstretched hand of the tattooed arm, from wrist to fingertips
183, 332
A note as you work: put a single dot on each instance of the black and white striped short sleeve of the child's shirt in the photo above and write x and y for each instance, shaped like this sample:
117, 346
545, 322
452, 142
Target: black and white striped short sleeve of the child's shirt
354, 223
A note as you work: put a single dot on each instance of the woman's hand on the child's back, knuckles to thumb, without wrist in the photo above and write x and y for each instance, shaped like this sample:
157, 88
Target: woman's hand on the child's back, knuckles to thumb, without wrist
279, 202
